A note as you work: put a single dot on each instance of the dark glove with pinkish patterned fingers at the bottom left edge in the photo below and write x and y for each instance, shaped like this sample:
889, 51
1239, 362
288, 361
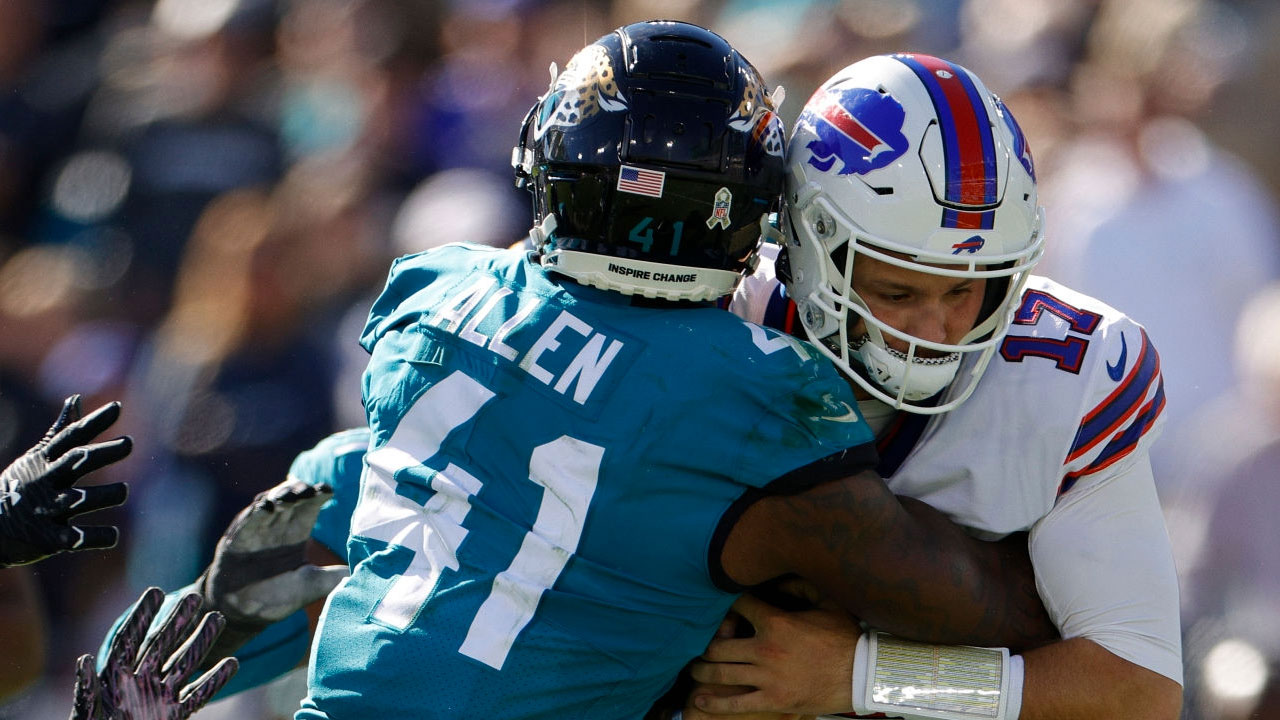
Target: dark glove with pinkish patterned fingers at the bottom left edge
147, 678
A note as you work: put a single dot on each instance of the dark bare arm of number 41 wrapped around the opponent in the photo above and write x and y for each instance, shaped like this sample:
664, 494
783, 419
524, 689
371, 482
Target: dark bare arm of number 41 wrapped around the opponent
897, 564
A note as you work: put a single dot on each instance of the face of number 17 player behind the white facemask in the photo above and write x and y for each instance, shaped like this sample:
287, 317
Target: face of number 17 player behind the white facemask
932, 308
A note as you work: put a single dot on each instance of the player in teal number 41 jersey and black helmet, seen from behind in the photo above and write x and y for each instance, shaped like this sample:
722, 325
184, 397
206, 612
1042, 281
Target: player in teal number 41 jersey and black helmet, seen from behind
578, 462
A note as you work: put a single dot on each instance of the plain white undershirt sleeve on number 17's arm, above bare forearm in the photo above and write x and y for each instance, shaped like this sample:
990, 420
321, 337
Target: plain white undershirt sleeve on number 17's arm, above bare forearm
1105, 571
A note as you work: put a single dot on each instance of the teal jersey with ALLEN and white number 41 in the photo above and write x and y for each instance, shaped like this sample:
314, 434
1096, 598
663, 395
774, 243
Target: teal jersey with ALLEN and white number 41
547, 476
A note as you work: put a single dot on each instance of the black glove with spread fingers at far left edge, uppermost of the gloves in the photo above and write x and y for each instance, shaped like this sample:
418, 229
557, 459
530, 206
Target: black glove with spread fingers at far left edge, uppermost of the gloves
38, 494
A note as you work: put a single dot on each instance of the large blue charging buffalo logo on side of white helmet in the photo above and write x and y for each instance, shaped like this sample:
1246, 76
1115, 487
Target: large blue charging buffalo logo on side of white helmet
860, 129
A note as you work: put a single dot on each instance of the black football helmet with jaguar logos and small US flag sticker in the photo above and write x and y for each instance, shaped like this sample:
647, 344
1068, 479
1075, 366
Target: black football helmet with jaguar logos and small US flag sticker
652, 161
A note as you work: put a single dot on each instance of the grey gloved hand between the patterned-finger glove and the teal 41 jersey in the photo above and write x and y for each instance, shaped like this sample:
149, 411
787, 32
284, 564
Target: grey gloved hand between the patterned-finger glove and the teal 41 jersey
260, 575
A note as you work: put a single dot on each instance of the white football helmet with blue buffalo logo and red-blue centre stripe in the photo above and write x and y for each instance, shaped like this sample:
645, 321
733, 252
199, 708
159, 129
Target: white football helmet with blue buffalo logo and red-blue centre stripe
912, 161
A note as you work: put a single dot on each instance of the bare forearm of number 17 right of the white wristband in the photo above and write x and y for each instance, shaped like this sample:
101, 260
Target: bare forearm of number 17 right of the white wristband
1081, 680
